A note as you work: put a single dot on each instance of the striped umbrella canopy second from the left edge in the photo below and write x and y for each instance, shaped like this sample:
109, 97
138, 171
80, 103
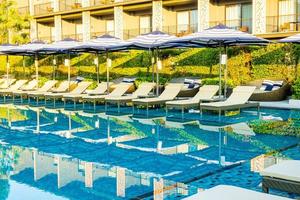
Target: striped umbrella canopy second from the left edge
60, 47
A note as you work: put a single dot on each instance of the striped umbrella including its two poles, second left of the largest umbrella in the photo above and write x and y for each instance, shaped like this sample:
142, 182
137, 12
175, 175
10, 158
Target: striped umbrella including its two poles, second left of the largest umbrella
103, 44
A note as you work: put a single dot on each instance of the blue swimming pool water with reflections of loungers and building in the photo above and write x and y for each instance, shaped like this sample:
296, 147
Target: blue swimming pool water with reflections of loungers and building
57, 154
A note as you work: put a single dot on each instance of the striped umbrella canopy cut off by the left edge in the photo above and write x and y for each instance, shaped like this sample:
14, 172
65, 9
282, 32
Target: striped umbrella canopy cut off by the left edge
26, 49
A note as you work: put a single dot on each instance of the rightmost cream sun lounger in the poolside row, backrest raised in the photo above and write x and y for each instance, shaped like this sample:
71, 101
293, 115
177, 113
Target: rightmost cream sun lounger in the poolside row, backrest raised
237, 100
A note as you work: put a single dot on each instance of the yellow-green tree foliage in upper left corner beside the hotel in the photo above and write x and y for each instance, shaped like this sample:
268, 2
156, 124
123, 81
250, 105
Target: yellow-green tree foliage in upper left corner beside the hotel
14, 26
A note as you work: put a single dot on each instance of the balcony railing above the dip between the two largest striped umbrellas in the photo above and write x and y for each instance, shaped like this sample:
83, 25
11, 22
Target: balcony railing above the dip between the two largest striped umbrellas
181, 30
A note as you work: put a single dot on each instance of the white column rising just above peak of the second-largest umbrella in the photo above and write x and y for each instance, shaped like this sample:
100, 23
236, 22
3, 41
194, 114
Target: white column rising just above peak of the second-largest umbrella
157, 15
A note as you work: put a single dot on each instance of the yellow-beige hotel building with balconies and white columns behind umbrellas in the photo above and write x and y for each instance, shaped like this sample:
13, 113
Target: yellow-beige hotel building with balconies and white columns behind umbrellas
54, 20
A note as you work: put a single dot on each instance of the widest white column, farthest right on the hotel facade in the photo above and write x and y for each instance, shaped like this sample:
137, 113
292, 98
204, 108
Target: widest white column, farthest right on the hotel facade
259, 16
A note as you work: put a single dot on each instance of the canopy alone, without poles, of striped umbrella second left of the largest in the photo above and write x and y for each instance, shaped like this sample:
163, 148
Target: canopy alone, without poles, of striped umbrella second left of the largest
102, 44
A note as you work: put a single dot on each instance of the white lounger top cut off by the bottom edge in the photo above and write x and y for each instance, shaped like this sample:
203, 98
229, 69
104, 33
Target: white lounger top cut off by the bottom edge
226, 192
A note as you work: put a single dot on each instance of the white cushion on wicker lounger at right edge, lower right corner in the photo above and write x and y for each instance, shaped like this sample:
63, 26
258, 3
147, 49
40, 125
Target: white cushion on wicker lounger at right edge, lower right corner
287, 170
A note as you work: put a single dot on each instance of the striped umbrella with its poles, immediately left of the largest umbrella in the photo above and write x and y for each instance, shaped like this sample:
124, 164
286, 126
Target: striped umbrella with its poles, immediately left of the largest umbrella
154, 41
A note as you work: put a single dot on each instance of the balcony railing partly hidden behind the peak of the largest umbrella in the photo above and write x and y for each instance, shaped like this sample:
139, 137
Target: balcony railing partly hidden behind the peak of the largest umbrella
244, 25
